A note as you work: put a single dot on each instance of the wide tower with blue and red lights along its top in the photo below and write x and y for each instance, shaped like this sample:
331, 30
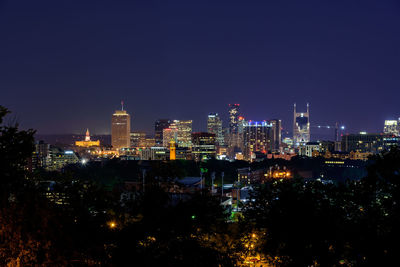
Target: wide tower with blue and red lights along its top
257, 138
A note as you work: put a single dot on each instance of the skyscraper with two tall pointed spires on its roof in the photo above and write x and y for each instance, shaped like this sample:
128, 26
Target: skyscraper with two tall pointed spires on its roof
301, 127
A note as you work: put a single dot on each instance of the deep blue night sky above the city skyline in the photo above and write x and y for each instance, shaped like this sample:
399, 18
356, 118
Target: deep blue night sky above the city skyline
66, 65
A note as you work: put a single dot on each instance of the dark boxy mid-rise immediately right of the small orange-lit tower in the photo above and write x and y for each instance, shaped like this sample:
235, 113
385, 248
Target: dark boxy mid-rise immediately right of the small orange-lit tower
203, 146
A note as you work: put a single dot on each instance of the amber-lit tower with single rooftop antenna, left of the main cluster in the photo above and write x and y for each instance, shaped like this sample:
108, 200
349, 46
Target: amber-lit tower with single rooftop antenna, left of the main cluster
120, 129
